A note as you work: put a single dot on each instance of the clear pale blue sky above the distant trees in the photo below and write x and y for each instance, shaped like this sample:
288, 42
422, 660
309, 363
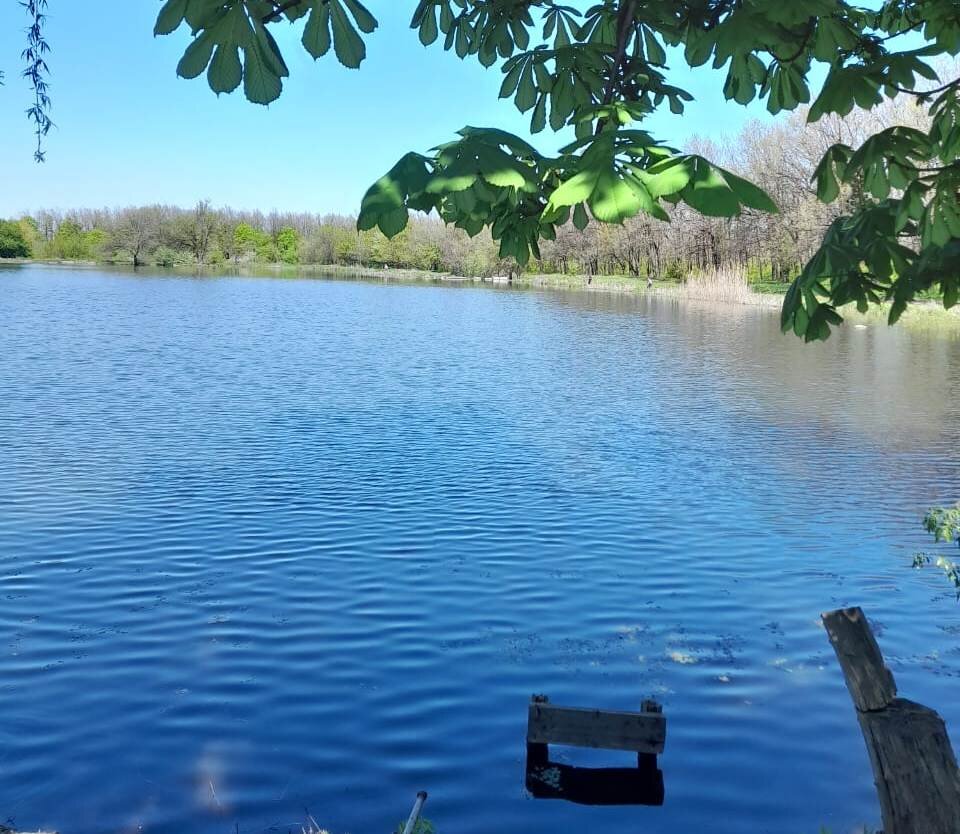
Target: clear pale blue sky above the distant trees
128, 131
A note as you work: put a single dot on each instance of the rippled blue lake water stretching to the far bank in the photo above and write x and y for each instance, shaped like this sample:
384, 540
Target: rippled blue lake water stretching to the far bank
277, 545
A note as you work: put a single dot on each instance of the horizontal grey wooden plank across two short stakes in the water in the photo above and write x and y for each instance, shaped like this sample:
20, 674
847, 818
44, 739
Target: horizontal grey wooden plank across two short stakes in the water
642, 732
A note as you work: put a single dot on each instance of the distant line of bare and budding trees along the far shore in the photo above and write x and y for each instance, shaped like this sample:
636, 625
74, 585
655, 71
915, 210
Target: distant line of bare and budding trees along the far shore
780, 158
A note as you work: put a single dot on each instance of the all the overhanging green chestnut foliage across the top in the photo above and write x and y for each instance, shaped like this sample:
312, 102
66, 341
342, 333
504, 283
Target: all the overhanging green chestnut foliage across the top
602, 68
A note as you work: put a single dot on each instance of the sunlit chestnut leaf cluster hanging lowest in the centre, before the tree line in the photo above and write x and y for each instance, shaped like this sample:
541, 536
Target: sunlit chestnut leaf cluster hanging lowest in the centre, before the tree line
492, 178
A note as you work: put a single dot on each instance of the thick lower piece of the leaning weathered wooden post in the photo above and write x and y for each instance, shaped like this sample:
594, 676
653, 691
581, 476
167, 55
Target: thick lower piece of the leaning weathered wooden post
917, 780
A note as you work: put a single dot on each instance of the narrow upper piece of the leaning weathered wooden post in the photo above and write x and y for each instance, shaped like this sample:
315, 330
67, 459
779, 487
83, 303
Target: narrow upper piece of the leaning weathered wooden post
870, 682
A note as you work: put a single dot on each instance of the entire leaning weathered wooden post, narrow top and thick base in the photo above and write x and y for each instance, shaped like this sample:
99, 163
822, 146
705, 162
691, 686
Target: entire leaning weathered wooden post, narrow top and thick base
914, 767
